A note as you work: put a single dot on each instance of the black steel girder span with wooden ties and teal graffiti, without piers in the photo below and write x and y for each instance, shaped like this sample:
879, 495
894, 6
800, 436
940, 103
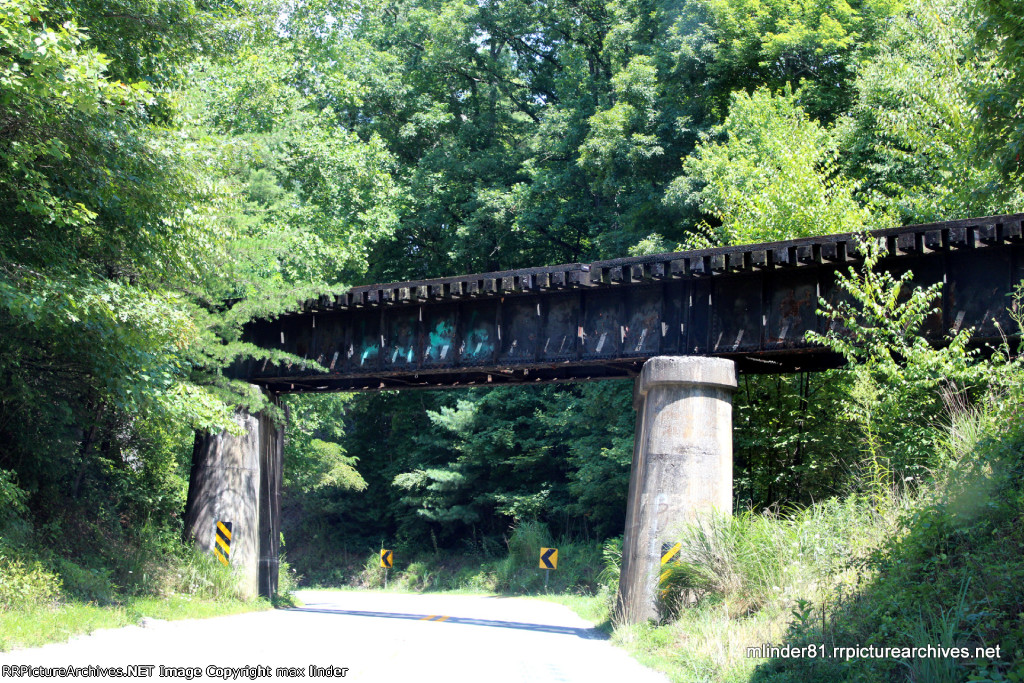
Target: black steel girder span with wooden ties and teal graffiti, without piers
604, 320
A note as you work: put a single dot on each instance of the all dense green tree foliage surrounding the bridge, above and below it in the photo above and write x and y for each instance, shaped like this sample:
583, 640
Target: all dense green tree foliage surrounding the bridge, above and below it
170, 170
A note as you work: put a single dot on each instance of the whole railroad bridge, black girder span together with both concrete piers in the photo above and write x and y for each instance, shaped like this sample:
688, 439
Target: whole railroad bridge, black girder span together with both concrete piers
681, 324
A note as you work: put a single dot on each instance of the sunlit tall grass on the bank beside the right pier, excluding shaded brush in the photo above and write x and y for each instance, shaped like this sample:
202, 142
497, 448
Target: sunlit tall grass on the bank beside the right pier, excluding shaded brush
755, 578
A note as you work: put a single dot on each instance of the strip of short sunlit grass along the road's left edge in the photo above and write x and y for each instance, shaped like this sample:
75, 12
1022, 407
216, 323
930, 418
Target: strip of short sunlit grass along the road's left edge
41, 625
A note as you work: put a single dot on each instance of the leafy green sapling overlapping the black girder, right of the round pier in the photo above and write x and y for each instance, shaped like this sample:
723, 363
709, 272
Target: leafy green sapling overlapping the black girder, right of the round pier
895, 374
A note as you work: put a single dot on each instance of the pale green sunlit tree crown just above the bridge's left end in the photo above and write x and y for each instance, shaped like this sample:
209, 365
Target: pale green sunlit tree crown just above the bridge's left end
307, 198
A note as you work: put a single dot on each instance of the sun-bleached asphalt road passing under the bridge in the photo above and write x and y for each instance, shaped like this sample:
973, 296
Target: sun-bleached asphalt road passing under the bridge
365, 636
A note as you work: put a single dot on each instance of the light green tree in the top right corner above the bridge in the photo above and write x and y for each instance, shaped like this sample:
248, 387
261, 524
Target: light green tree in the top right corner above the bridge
914, 136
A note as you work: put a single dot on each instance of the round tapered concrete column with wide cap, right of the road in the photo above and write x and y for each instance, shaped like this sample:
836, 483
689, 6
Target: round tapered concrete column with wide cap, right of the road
682, 465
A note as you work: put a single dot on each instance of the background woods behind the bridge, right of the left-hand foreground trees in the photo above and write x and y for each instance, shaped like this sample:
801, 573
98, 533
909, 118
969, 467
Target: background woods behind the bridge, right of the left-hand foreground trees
569, 132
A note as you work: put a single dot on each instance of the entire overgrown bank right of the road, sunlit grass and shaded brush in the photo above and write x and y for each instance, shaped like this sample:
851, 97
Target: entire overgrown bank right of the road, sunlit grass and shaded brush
941, 566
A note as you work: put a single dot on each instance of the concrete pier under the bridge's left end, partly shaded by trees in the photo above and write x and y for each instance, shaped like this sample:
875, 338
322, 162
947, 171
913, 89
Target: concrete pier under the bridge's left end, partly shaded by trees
237, 480
